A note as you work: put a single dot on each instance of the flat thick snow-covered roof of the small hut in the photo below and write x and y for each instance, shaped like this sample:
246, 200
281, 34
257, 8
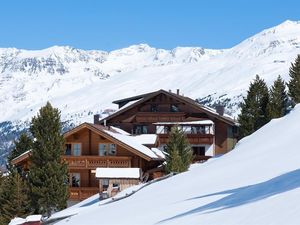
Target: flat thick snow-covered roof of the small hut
118, 173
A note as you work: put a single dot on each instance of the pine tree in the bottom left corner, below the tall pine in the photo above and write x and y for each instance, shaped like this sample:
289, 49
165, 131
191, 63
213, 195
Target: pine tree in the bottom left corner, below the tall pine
13, 197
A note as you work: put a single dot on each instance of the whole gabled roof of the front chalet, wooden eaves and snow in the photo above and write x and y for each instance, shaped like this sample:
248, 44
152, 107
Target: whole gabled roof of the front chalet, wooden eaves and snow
122, 139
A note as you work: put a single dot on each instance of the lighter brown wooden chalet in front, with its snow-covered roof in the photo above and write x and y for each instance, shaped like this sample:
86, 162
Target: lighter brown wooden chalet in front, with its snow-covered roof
91, 146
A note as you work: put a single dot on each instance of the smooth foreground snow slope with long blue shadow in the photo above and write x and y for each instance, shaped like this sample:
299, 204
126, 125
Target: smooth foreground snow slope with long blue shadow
257, 183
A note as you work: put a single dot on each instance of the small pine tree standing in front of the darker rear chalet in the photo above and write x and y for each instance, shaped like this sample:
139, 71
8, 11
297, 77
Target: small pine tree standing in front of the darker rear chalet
179, 151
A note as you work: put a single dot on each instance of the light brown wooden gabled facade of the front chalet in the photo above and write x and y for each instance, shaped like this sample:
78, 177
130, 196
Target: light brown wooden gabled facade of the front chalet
83, 156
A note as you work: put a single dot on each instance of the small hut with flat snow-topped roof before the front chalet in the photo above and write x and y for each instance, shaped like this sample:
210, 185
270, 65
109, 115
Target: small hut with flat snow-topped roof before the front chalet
114, 180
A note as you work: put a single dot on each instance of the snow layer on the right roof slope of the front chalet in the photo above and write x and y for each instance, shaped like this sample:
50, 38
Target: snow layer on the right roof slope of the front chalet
131, 141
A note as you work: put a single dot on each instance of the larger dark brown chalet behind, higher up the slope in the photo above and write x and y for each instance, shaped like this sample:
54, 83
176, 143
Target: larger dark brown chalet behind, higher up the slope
209, 132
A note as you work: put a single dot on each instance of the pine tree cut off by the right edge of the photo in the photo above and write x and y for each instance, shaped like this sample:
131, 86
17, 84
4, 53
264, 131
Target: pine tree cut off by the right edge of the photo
294, 83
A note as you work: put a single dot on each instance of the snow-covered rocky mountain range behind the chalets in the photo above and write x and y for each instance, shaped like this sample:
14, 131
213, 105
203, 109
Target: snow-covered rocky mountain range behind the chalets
81, 83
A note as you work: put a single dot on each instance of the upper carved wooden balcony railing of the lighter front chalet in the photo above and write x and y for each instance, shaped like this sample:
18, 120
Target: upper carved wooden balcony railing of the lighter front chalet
92, 162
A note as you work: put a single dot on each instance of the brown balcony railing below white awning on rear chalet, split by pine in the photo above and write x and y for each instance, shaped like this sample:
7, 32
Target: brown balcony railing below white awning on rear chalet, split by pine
192, 138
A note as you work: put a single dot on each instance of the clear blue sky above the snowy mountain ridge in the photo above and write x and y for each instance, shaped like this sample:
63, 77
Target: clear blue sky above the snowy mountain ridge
113, 24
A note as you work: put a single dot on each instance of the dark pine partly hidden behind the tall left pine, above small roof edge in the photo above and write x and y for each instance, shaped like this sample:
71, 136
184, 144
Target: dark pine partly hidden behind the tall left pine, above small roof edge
23, 144
